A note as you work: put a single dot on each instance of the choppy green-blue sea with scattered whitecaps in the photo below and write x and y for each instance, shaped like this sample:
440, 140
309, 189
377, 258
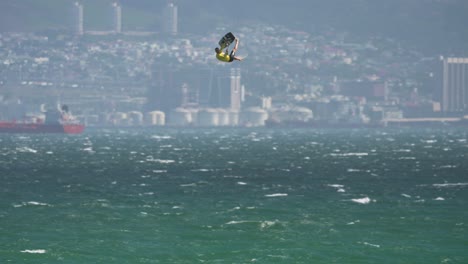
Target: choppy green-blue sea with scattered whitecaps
235, 196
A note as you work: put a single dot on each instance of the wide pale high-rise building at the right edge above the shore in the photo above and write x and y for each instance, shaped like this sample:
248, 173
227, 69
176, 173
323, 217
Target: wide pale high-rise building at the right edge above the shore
455, 85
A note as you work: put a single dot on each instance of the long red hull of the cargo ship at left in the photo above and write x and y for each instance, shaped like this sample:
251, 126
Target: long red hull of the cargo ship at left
12, 127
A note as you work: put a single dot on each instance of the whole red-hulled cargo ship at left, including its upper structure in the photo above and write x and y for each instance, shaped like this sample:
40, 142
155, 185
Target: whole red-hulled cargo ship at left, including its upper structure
59, 121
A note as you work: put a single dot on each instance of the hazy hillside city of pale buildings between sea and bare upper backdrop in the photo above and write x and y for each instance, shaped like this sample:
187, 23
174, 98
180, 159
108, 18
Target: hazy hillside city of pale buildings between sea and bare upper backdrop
288, 77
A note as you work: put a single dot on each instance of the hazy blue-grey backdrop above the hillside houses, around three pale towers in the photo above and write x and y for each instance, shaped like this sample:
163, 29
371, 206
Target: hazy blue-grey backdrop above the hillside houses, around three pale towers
421, 21
